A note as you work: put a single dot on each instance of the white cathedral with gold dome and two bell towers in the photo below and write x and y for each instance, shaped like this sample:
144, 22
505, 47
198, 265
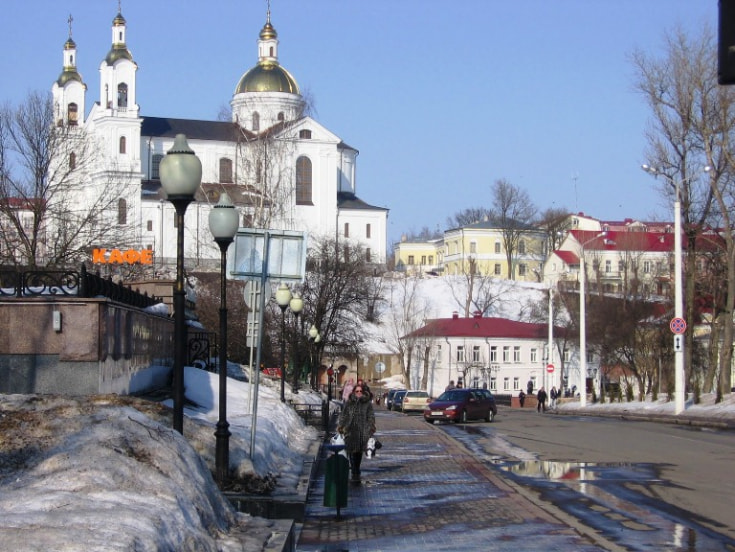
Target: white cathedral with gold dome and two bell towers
282, 169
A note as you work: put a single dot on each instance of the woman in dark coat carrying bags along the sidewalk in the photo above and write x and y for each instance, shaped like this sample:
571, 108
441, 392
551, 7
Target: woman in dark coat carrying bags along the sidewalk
357, 424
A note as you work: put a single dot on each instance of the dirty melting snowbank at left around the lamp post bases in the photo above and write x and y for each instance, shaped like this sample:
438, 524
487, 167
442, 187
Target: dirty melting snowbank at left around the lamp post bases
108, 472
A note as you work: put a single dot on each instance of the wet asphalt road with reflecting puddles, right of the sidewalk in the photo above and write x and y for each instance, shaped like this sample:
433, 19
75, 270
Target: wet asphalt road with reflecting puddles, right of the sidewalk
644, 484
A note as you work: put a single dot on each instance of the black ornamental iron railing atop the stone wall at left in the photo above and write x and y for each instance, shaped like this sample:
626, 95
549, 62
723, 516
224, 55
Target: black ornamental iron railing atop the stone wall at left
34, 283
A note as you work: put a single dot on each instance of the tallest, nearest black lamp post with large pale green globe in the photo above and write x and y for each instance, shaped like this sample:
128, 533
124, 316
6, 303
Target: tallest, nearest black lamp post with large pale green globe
181, 174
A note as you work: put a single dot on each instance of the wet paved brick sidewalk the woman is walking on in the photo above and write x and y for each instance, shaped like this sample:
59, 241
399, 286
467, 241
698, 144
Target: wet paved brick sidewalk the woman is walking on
425, 491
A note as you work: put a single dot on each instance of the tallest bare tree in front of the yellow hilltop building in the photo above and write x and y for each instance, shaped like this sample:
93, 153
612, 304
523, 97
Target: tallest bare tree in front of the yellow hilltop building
515, 212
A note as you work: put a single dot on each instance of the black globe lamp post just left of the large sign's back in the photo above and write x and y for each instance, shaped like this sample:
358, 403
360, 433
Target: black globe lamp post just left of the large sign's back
223, 223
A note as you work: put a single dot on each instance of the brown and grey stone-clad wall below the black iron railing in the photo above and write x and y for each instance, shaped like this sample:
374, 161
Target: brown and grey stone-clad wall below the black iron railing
81, 346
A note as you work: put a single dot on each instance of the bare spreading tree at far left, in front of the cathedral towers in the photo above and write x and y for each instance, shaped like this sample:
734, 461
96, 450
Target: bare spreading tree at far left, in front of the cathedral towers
53, 210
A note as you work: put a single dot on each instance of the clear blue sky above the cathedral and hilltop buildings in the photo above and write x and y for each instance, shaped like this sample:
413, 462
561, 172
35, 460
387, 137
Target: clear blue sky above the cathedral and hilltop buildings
441, 97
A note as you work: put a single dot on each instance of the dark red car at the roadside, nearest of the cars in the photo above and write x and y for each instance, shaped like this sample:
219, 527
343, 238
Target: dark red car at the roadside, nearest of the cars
462, 405
